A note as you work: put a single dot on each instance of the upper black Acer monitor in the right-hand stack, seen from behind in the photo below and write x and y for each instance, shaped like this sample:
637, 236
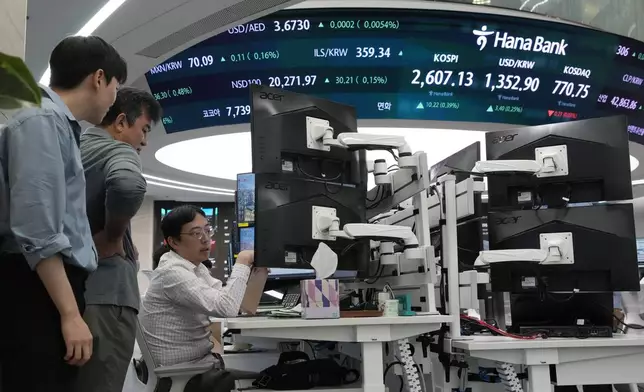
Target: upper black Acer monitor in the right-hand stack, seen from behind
598, 164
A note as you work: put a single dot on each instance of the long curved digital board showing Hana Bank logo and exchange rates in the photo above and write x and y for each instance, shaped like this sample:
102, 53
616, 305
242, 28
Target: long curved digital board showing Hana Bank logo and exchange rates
408, 64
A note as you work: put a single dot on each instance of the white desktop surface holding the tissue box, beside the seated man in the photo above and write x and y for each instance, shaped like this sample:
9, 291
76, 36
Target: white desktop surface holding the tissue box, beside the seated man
271, 323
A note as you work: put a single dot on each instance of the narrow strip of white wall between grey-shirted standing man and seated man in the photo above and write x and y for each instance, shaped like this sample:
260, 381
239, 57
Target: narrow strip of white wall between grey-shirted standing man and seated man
143, 236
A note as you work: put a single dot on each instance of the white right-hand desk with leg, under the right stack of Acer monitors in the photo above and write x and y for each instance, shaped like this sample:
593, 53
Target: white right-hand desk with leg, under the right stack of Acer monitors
617, 360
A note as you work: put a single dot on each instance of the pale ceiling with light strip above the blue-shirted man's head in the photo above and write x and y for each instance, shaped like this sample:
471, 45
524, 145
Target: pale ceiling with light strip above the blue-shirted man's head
137, 25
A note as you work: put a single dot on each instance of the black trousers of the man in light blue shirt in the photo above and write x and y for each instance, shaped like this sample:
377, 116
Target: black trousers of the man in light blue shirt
32, 348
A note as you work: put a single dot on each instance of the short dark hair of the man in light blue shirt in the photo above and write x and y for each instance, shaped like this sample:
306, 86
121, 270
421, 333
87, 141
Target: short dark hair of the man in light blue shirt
74, 58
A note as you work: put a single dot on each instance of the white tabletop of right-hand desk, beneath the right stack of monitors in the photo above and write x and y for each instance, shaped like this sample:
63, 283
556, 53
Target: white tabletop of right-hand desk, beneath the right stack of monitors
484, 343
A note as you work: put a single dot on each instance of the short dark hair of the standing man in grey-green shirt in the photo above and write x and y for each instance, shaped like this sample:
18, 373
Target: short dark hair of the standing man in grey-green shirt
133, 102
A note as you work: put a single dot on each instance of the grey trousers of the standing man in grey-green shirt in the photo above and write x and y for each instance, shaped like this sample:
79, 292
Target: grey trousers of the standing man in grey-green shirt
114, 331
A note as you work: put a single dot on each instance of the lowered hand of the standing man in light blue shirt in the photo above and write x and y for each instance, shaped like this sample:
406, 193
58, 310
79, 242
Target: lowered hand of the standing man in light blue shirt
78, 339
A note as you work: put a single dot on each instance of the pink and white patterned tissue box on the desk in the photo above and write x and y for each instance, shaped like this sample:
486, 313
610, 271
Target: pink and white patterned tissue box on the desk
320, 298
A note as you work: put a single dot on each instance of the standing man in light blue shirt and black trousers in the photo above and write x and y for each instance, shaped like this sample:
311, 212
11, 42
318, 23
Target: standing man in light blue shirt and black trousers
46, 248
